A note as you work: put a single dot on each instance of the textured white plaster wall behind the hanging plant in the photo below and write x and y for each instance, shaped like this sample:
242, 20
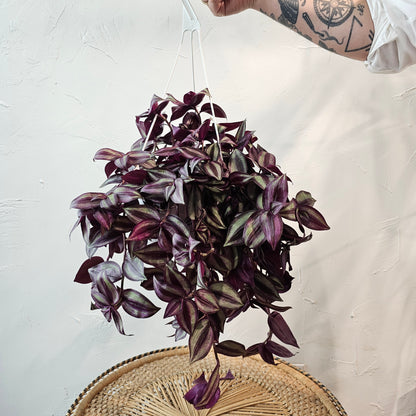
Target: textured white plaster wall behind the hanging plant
72, 77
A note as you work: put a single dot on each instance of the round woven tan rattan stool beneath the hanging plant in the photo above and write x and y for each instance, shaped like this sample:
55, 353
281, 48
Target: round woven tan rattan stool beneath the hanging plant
153, 384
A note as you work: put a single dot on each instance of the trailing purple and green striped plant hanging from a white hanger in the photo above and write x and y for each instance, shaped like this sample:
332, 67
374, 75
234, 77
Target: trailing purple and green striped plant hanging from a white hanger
204, 219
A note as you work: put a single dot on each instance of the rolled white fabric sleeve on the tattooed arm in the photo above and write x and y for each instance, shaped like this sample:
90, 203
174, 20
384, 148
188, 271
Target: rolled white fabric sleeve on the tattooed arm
394, 43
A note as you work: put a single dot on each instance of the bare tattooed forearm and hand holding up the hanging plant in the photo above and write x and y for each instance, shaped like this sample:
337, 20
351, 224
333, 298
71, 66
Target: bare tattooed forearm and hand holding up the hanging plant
341, 26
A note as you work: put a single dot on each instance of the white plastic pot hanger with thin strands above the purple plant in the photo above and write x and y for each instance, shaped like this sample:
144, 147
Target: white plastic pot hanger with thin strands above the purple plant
190, 24
